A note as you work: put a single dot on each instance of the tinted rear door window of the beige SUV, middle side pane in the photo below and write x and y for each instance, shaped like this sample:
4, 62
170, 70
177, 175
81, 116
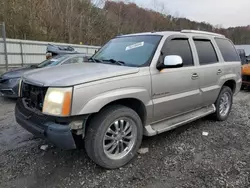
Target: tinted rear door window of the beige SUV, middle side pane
206, 52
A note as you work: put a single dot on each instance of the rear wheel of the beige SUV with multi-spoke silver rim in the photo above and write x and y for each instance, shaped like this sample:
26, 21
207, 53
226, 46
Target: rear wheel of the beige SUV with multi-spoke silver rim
223, 104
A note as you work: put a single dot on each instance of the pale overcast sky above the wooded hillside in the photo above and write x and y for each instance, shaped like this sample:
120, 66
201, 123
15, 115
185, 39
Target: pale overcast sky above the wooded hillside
217, 12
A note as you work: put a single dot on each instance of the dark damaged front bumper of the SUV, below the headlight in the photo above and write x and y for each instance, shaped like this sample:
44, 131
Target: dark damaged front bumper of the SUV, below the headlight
44, 127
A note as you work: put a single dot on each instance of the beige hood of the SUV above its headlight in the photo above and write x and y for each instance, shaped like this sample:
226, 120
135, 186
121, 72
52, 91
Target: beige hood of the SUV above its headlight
73, 74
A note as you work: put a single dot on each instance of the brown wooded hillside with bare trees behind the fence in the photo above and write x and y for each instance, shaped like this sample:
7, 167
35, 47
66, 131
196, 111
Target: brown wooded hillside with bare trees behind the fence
76, 21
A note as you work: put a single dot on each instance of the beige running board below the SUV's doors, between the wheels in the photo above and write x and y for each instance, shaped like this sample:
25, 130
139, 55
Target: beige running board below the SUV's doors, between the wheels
172, 123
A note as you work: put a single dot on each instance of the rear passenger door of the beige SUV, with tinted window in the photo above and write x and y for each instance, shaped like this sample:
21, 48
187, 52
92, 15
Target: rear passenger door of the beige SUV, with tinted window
210, 71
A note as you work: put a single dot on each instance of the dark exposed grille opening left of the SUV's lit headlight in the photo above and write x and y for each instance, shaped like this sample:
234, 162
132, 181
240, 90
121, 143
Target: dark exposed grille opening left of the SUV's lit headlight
33, 95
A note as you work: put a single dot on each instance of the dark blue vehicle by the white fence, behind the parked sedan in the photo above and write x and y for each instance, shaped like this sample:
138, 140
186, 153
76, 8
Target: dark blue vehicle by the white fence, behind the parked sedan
54, 50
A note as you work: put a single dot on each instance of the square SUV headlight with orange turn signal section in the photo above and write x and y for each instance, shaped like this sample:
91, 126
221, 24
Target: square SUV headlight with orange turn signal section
58, 101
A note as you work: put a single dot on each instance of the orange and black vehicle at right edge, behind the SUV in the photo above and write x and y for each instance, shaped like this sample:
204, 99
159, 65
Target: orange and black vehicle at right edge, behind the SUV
245, 70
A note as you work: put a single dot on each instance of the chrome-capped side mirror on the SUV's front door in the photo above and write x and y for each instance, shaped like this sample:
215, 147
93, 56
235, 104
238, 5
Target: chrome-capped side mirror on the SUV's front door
171, 61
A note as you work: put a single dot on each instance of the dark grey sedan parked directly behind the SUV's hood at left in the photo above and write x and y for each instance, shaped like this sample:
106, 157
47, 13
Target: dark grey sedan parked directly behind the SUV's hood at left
9, 81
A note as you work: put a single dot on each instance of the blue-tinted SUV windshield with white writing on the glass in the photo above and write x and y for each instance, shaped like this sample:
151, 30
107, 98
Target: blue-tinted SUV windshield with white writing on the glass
132, 50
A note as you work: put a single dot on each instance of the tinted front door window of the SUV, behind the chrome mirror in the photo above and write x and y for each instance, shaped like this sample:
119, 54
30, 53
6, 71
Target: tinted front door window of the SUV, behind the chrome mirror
179, 47
